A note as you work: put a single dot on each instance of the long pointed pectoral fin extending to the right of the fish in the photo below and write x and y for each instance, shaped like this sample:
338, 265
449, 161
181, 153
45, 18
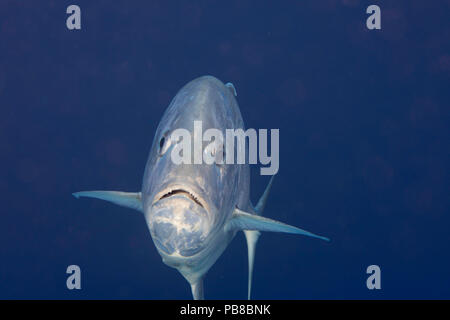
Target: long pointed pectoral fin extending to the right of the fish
242, 220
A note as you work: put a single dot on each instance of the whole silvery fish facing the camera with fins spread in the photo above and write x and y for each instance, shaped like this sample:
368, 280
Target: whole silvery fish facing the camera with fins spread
194, 210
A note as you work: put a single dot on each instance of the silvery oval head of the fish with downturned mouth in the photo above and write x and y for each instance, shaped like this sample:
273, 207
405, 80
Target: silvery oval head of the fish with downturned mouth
185, 204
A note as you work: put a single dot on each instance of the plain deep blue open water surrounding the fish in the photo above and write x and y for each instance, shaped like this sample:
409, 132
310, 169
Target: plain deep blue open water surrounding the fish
364, 132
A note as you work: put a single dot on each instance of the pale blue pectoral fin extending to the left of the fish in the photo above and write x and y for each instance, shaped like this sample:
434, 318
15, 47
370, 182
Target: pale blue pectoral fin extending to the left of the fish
125, 199
